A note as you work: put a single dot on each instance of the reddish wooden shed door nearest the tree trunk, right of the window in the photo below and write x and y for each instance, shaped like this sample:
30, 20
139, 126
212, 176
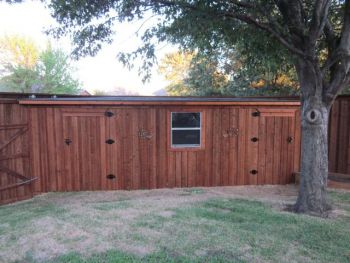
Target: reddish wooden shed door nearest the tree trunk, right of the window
272, 147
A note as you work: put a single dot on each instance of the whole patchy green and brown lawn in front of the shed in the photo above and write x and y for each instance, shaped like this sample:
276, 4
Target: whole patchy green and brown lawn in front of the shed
228, 224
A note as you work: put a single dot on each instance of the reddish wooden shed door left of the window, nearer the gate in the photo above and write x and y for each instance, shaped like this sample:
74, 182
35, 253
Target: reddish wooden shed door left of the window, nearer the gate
89, 152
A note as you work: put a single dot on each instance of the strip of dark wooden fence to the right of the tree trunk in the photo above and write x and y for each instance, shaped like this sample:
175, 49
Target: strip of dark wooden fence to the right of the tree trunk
339, 136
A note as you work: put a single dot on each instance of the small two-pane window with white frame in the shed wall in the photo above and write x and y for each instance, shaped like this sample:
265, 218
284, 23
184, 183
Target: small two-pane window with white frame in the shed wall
186, 129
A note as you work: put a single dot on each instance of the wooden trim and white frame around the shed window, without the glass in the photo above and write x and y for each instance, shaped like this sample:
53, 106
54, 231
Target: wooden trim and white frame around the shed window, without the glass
201, 128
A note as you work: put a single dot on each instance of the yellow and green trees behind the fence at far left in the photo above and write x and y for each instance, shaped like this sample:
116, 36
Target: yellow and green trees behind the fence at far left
27, 69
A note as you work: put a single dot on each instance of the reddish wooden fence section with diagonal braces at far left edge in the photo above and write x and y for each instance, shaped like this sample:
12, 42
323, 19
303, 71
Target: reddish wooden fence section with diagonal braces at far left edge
15, 173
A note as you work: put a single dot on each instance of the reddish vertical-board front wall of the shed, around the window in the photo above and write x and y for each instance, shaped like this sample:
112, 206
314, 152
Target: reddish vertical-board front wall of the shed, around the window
228, 155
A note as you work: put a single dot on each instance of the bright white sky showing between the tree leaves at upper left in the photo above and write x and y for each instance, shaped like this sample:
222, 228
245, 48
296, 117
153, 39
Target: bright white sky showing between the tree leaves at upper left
102, 72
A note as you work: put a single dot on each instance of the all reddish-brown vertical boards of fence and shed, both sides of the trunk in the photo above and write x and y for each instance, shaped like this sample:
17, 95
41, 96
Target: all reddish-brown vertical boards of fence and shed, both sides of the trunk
32, 145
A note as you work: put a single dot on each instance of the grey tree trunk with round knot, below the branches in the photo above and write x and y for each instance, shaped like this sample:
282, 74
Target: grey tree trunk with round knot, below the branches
314, 158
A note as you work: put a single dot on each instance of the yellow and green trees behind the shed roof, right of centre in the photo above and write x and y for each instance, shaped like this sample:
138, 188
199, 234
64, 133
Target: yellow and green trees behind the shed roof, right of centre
206, 75
